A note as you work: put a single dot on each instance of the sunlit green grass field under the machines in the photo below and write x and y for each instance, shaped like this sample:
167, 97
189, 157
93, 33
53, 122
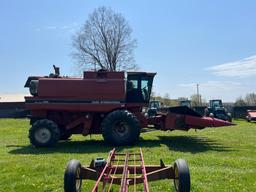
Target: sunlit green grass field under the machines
222, 159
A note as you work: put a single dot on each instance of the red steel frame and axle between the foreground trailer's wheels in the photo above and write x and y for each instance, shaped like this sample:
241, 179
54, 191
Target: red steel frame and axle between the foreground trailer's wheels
126, 174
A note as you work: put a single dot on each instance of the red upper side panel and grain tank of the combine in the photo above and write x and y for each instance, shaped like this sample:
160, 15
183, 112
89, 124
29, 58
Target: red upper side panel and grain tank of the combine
92, 87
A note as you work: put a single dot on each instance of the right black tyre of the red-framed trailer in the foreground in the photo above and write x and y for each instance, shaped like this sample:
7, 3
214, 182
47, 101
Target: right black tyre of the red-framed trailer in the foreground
182, 176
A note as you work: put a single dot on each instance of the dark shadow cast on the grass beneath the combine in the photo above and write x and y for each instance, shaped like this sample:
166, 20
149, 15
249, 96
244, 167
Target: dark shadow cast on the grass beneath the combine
174, 143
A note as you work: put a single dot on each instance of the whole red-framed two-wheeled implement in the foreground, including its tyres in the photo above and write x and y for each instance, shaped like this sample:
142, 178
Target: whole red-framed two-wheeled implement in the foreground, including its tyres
125, 171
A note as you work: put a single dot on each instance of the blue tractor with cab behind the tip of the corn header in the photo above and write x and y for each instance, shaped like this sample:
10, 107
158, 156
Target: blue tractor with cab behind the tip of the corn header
217, 110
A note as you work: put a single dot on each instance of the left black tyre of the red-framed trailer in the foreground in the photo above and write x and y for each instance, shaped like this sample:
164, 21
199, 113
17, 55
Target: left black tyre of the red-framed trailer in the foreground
72, 179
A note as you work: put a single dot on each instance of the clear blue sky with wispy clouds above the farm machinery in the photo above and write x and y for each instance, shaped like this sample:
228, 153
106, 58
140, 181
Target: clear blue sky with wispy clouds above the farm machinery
212, 43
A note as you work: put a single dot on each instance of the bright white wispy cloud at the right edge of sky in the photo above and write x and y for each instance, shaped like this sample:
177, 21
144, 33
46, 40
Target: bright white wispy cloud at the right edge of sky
242, 68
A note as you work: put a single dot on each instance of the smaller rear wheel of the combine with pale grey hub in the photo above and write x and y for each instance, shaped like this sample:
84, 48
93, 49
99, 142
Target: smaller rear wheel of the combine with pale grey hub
44, 133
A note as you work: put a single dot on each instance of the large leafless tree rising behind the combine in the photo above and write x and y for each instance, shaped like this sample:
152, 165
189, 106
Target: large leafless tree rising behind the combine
105, 42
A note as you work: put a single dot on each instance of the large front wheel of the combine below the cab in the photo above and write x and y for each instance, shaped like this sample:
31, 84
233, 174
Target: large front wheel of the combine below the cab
120, 127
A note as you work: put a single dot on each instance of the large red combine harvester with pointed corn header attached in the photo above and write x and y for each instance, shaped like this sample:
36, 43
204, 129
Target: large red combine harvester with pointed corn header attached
107, 103
